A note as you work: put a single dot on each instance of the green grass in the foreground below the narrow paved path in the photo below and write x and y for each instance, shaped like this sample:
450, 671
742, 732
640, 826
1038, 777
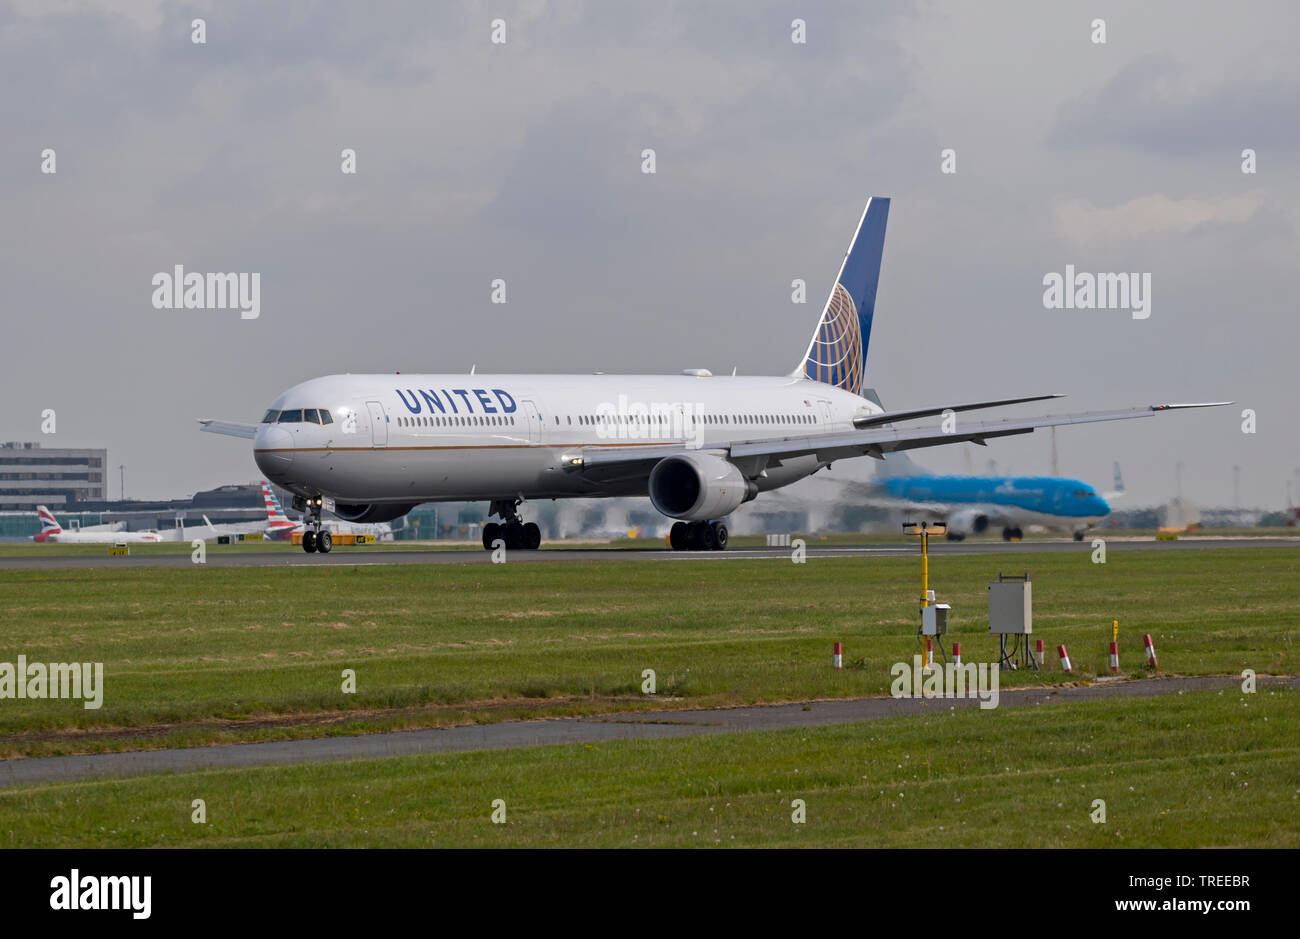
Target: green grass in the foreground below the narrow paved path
1188, 771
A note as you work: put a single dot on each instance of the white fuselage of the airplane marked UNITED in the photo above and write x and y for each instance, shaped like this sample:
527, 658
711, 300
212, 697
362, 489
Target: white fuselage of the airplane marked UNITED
408, 439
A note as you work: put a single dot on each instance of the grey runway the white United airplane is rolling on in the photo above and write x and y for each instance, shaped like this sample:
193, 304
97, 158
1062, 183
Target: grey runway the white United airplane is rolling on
47, 557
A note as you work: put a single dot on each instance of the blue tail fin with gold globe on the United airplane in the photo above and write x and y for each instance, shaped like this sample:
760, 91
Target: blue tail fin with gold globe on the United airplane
838, 354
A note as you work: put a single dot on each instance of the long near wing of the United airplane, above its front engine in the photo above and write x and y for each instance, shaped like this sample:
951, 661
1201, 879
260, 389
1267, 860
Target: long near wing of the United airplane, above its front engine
623, 462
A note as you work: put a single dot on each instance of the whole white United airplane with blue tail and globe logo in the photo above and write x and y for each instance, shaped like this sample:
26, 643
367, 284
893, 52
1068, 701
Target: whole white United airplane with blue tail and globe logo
696, 444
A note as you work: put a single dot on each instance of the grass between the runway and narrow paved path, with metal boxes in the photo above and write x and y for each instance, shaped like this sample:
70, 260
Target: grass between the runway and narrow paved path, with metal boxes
202, 655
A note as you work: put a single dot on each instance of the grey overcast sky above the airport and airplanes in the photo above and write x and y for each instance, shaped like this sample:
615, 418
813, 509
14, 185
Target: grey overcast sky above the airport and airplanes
523, 162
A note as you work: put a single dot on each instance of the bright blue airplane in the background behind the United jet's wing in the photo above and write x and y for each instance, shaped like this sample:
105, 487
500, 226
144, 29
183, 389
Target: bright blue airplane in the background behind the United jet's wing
972, 505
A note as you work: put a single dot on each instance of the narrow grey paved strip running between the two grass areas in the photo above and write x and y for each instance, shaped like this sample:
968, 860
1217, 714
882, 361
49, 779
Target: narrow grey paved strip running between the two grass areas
627, 726
